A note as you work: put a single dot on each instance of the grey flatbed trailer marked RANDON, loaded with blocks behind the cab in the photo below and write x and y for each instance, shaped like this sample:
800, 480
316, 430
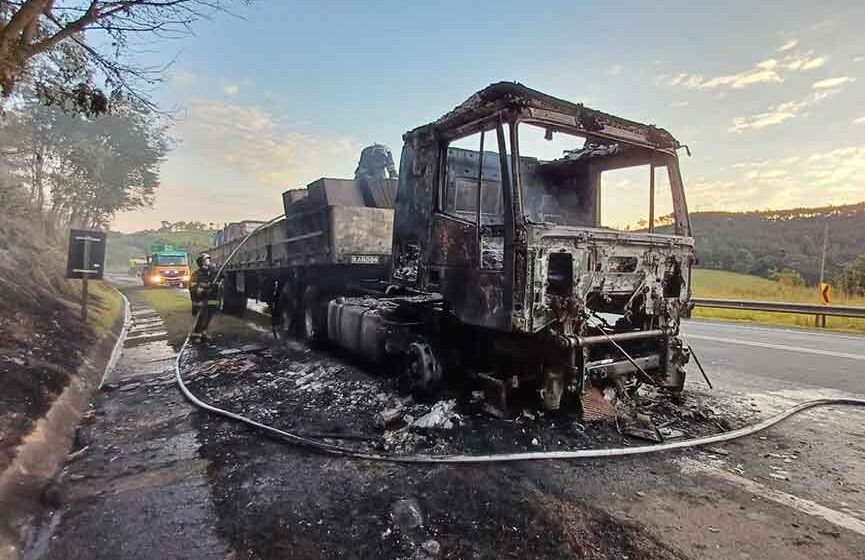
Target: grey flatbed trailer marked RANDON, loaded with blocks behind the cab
334, 239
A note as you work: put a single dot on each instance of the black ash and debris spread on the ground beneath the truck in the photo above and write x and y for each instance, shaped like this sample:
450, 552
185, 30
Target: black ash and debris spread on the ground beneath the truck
319, 396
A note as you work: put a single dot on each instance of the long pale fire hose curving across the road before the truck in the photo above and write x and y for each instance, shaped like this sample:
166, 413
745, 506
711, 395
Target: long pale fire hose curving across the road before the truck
496, 457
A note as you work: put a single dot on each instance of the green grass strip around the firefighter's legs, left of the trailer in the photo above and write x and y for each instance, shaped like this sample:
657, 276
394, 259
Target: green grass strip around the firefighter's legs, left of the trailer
176, 311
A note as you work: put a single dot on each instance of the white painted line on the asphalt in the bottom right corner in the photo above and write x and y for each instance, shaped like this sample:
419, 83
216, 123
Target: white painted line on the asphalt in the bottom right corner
800, 504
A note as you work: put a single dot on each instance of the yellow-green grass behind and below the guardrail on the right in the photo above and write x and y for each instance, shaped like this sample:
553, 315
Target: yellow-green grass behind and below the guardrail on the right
731, 285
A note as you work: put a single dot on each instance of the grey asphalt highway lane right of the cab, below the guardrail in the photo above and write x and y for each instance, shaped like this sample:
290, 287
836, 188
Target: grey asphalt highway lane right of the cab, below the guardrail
744, 356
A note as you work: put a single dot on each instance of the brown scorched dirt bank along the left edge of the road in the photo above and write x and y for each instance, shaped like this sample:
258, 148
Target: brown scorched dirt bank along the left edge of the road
42, 341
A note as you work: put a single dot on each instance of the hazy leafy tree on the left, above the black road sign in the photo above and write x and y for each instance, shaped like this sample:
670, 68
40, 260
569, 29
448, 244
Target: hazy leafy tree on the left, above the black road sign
80, 171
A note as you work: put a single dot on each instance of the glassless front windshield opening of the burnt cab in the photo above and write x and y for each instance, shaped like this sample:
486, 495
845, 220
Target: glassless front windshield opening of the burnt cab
568, 190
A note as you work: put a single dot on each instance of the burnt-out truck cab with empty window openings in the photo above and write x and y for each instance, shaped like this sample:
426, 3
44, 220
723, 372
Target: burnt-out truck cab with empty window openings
557, 238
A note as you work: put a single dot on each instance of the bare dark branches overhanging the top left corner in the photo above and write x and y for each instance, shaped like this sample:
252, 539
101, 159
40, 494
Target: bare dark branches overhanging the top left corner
57, 31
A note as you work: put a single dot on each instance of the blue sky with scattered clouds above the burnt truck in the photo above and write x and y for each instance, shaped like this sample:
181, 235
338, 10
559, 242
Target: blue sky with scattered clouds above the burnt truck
767, 95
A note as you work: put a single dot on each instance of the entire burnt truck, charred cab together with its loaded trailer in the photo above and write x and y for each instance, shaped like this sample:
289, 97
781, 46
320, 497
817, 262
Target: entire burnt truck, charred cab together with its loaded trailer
535, 246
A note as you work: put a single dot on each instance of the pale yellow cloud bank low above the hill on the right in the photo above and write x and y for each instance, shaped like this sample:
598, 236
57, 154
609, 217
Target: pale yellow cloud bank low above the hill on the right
831, 177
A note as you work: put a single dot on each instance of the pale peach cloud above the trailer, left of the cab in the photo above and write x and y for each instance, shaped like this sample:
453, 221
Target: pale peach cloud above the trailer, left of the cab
249, 140
